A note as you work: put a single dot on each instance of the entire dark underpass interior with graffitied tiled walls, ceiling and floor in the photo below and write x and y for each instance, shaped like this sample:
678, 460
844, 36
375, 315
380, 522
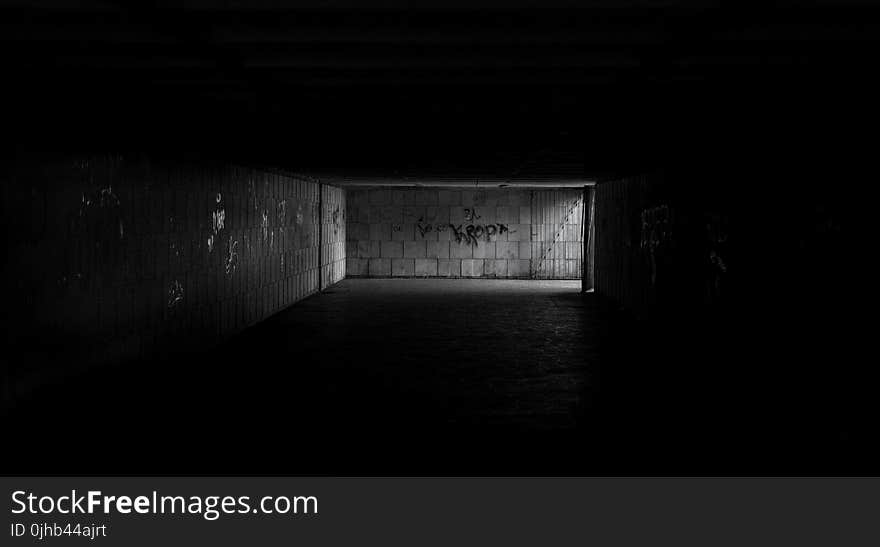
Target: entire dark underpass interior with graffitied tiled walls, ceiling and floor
466, 238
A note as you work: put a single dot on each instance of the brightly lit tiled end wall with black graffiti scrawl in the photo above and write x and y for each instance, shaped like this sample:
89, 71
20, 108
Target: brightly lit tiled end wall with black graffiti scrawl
450, 232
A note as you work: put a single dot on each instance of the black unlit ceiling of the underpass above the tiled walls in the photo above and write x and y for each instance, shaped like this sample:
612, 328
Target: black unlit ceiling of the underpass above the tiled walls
542, 92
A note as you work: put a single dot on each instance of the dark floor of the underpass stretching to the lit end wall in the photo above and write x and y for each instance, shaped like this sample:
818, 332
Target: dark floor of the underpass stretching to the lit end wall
437, 377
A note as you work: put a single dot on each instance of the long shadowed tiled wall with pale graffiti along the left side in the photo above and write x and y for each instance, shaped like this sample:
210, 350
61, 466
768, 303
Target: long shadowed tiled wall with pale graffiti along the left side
110, 259
